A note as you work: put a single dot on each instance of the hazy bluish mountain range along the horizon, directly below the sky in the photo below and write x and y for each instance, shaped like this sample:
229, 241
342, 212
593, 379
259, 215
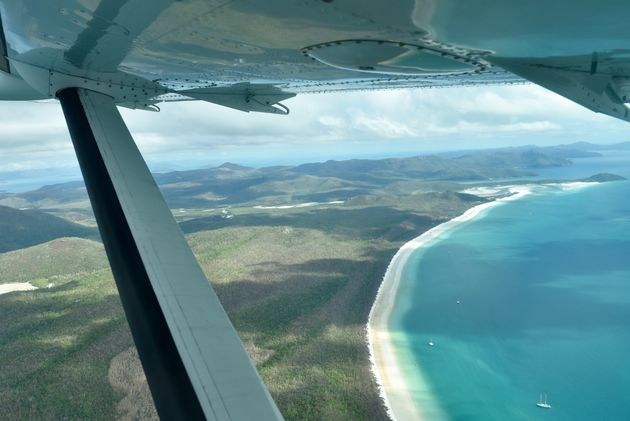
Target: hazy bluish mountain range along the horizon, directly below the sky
231, 184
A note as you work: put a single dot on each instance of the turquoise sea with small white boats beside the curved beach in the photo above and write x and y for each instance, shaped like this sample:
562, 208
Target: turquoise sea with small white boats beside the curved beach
544, 290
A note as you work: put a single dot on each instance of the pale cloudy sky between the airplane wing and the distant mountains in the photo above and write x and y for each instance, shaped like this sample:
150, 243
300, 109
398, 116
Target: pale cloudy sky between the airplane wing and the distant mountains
35, 141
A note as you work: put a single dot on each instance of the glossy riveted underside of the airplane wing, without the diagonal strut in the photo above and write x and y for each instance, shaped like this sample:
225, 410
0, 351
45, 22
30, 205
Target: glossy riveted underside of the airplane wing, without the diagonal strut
234, 52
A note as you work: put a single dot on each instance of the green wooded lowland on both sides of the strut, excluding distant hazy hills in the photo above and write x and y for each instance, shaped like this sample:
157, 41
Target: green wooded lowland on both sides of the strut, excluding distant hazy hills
298, 284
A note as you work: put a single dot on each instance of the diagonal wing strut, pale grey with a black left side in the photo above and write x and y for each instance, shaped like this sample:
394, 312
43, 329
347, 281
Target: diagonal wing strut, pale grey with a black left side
195, 363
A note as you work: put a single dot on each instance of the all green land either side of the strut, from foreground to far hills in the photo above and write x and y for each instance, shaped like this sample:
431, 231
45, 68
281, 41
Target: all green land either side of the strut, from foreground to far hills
297, 282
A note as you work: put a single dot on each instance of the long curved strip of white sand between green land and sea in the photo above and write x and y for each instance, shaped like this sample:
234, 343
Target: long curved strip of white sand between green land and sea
392, 386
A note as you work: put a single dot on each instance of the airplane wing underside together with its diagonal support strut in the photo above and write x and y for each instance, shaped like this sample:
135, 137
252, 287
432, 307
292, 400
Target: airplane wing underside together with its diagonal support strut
94, 55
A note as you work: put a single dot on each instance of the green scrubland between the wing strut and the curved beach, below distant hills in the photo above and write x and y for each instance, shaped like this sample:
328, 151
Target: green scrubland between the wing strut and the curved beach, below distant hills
304, 295
